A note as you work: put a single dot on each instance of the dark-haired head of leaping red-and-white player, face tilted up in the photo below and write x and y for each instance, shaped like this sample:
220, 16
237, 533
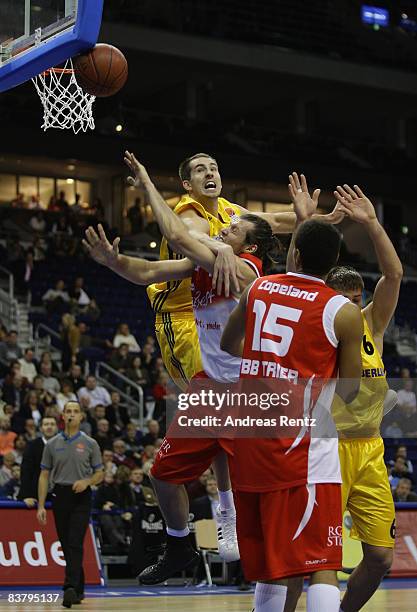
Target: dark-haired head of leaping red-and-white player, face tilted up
252, 234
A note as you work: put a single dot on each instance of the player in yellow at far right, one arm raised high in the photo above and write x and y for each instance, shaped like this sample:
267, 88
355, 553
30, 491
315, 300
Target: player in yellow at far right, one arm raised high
366, 490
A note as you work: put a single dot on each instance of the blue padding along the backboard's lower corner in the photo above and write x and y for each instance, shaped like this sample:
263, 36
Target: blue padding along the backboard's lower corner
83, 36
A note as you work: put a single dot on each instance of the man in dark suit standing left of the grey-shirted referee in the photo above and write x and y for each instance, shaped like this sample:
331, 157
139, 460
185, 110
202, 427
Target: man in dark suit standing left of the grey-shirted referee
32, 461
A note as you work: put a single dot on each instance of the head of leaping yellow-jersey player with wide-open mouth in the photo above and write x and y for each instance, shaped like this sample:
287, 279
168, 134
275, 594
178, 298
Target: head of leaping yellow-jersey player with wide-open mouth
200, 176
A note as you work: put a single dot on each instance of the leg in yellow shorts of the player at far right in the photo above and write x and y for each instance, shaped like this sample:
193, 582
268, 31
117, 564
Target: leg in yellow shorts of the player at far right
373, 514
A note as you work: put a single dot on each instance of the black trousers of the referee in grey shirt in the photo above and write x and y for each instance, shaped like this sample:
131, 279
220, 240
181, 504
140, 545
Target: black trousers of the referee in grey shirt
72, 514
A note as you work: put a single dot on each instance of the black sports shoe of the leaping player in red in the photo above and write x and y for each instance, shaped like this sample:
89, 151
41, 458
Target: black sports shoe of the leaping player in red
176, 558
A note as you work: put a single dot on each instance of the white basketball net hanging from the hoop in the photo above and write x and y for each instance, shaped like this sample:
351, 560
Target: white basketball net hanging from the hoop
65, 104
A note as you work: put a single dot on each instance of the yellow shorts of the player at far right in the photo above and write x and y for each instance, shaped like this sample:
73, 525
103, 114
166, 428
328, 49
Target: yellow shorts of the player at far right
366, 491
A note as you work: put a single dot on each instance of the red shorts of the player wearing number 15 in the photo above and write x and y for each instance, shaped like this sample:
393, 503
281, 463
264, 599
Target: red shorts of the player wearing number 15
291, 532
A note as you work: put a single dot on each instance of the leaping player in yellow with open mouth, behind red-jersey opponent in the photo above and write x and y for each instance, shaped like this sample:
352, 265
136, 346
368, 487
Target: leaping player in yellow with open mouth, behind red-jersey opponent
204, 211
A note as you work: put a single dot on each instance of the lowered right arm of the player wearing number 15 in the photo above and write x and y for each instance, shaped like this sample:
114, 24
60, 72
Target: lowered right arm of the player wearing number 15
348, 326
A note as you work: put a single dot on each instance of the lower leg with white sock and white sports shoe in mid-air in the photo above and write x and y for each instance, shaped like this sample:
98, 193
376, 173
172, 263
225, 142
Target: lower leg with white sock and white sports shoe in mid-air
226, 512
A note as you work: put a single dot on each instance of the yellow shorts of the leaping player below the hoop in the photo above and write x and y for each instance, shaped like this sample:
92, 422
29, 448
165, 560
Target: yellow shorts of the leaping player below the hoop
180, 348
